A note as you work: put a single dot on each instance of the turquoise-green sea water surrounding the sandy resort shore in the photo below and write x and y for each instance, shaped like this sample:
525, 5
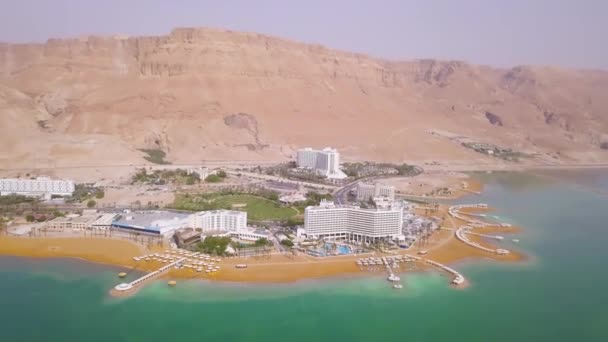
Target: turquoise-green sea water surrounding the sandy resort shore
558, 295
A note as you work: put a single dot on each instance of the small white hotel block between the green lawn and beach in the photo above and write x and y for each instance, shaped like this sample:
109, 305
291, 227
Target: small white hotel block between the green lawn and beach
219, 220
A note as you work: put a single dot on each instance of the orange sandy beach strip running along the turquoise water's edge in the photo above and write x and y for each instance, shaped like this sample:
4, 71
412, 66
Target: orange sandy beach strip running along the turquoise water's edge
442, 246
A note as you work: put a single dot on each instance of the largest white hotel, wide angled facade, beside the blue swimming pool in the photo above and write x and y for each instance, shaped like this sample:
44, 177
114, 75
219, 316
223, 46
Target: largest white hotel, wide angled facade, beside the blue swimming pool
353, 223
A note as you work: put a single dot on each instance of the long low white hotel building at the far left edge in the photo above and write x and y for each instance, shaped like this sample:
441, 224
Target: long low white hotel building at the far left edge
39, 187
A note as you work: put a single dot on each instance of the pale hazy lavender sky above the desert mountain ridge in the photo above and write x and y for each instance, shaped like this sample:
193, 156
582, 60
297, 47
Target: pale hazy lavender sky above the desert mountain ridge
496, 32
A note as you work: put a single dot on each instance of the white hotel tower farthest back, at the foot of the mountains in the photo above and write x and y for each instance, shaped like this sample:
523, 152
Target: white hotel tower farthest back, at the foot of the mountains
325, 162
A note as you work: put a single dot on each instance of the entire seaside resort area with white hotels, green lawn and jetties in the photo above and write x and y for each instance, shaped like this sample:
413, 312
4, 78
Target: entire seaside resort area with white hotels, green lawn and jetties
271, 220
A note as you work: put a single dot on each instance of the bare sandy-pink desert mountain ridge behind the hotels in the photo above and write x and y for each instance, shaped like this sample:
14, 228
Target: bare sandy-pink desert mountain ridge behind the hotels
206, 94
